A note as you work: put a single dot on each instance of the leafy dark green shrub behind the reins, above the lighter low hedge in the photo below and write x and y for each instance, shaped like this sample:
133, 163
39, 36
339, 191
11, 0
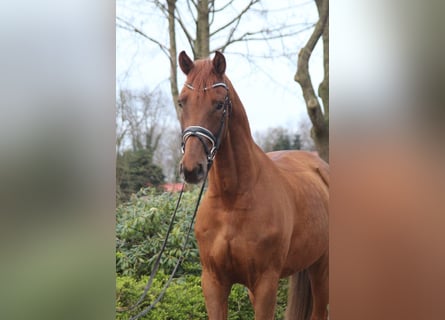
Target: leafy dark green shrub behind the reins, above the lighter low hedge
141, 226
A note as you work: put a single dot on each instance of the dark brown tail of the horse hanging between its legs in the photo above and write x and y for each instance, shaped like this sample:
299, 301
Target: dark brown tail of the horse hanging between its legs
299, 299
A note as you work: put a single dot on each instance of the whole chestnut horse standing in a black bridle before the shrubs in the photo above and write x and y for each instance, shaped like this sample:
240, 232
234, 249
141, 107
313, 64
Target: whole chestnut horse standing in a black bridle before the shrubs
263, 216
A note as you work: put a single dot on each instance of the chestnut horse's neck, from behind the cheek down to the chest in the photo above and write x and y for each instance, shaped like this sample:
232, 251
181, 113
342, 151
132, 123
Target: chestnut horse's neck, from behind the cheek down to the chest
234, 170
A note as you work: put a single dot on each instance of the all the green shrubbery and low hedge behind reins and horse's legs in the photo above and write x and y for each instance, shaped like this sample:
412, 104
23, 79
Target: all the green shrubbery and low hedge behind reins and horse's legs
141, 225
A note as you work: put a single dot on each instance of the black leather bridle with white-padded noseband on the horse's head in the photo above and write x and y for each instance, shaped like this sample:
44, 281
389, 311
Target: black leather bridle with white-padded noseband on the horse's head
202, 133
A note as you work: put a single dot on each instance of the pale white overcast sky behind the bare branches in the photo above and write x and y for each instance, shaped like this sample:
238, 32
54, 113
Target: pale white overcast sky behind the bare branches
266, 86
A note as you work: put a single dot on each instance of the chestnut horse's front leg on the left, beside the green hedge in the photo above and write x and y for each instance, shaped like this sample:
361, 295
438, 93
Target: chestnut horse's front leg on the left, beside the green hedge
216, 295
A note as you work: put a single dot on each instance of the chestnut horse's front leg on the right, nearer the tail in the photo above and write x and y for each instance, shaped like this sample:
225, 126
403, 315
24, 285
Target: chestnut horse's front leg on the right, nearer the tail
264, 296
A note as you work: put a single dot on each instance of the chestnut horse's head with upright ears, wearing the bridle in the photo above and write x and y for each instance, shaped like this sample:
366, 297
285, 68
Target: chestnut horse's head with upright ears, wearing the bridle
205, 105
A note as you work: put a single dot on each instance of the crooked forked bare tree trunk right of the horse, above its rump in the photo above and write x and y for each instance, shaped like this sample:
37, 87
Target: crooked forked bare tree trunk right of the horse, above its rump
318, 111
